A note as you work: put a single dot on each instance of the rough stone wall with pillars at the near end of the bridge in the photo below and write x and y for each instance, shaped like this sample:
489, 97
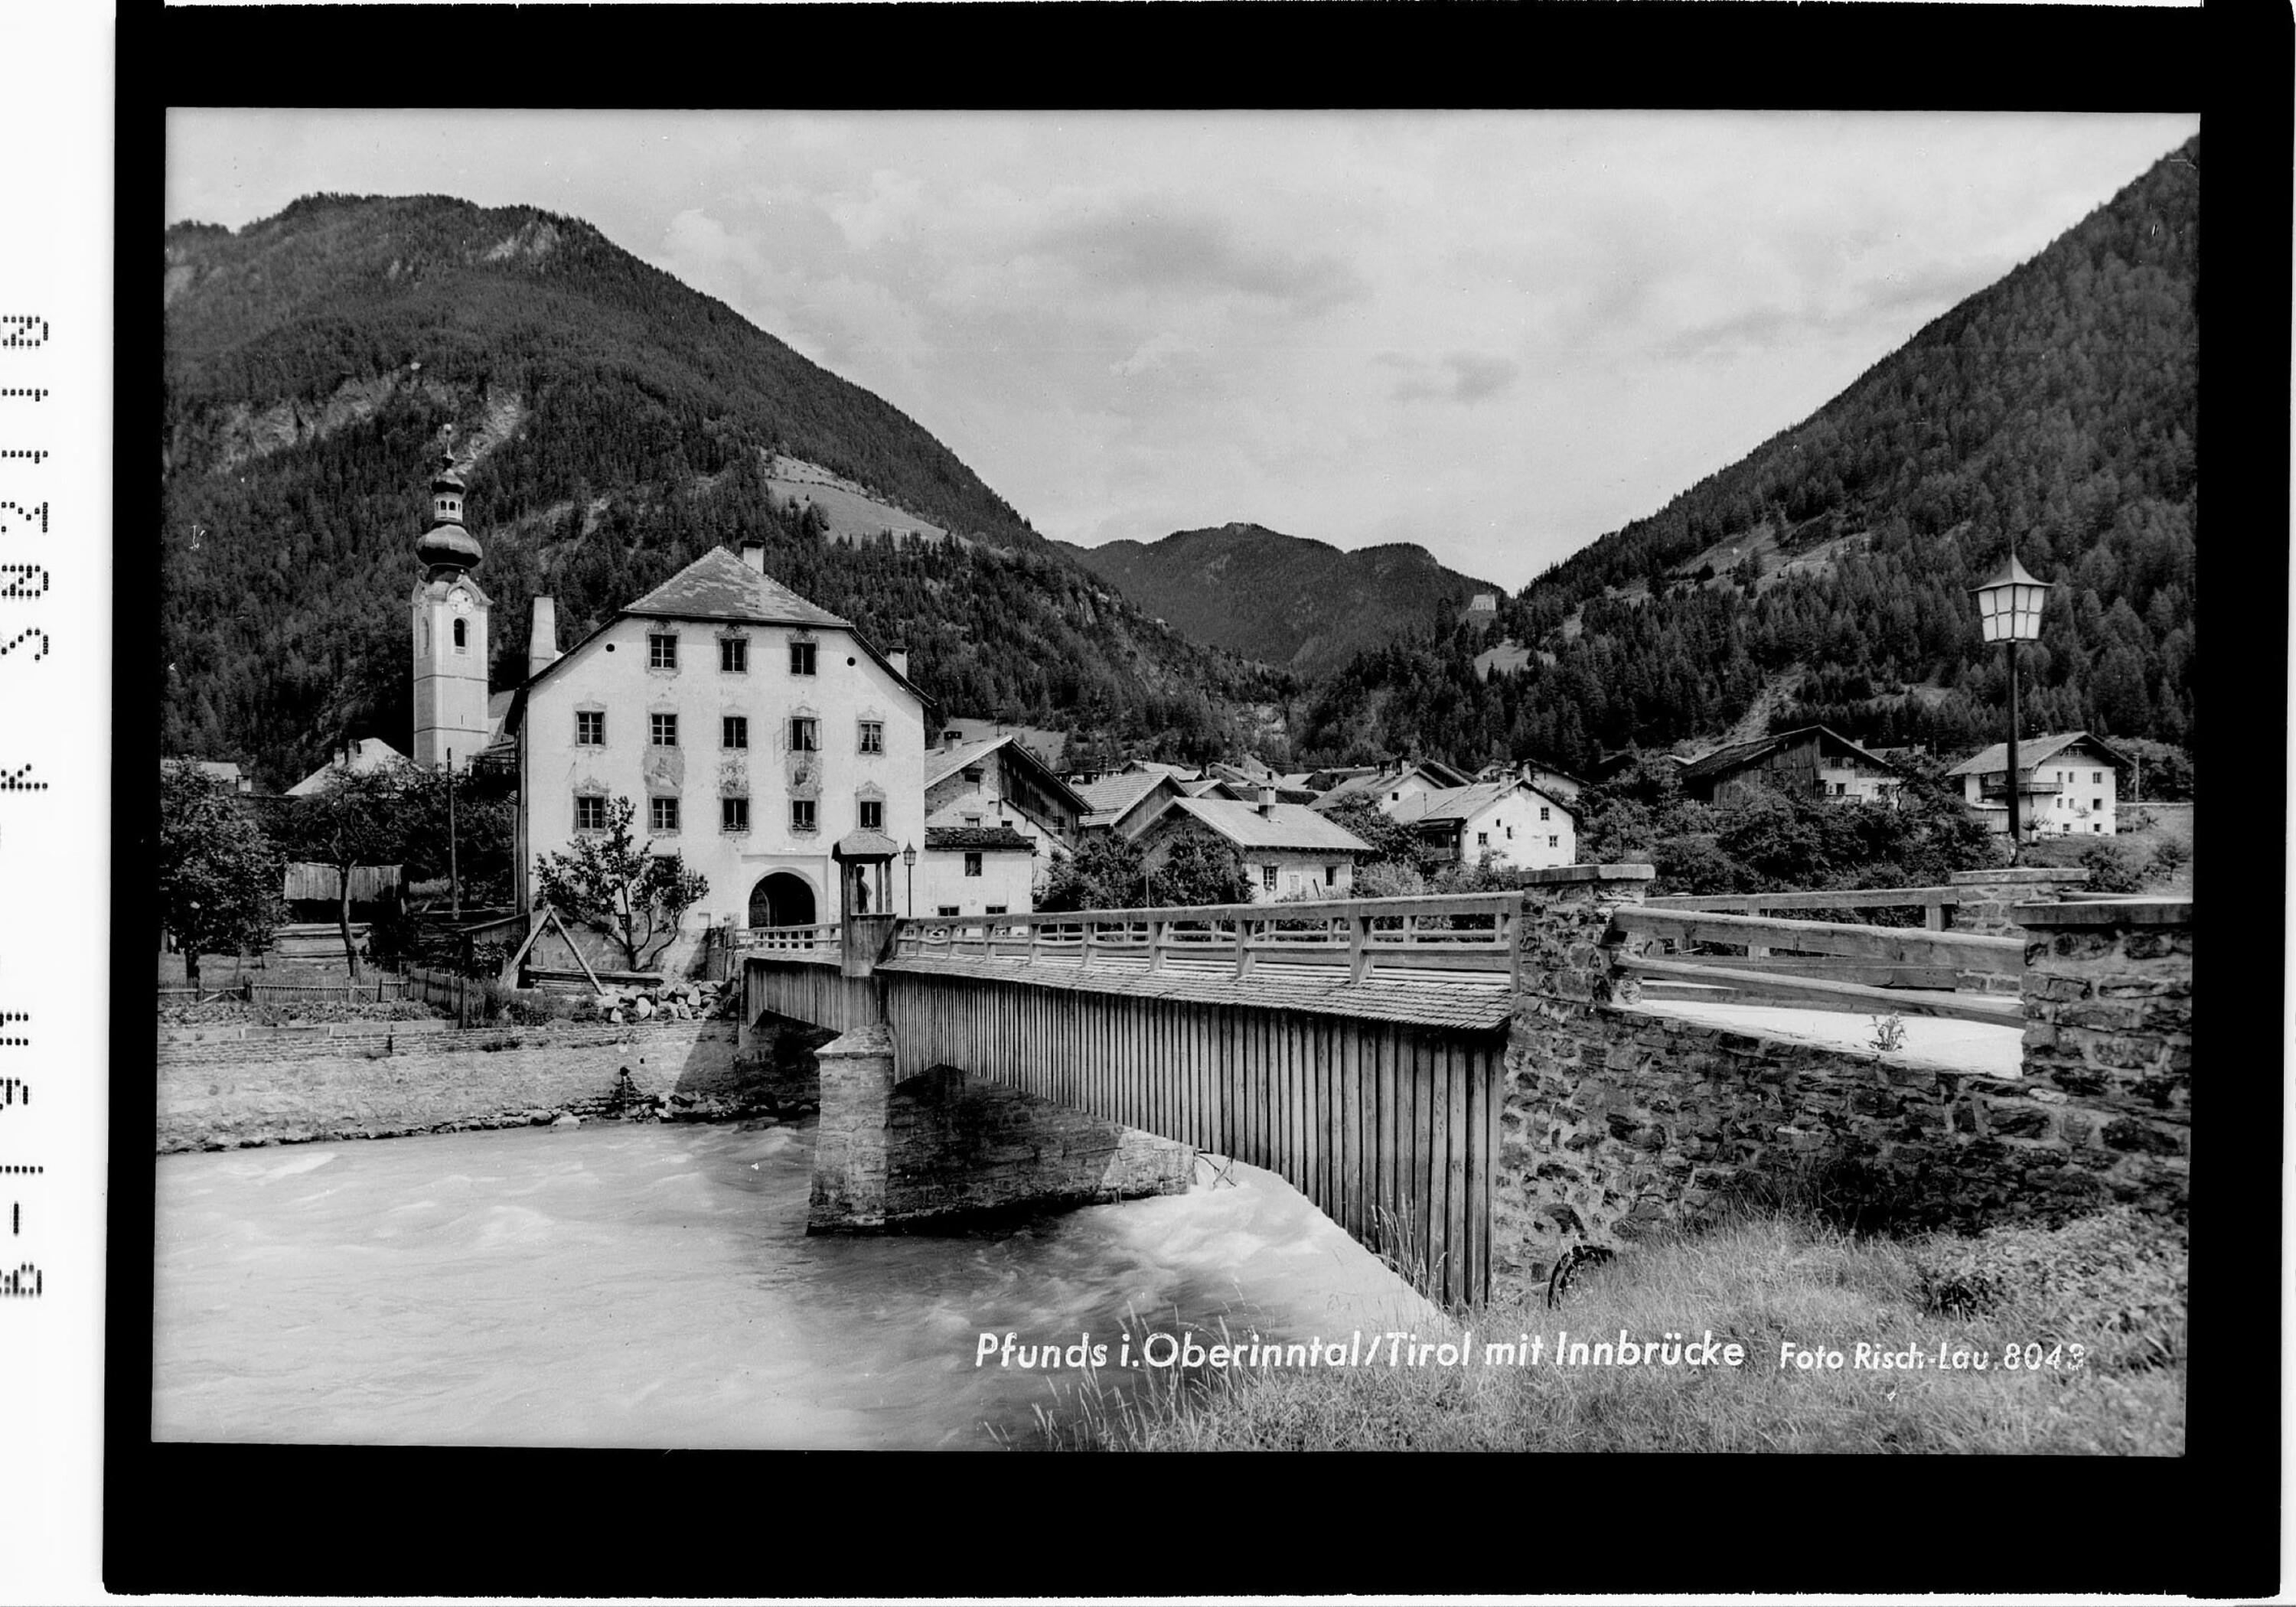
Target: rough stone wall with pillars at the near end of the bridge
1618, 1121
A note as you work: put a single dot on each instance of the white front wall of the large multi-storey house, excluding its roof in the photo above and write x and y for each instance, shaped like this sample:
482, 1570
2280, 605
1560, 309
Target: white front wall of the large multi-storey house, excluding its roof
612, 676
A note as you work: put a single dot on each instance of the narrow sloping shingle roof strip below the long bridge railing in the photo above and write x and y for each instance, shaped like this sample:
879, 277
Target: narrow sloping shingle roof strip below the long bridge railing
1314, 991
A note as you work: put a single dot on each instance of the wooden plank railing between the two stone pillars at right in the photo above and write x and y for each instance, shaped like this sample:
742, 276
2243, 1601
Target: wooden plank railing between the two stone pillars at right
1838, 963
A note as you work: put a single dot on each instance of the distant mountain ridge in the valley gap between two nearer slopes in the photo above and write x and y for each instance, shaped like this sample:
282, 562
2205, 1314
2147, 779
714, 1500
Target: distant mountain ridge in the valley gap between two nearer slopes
1287, 600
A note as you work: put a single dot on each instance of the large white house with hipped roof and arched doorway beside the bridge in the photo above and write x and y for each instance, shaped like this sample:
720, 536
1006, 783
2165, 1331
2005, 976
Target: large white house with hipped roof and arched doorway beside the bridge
750, 729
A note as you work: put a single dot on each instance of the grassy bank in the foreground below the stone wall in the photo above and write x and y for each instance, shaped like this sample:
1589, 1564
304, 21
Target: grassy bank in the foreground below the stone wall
2111, 1284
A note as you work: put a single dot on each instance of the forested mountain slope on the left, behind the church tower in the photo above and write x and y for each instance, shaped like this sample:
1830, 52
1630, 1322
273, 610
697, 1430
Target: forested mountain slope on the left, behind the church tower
612, 426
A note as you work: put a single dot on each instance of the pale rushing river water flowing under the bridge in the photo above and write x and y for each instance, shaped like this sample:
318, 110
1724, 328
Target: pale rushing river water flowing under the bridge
656, 1287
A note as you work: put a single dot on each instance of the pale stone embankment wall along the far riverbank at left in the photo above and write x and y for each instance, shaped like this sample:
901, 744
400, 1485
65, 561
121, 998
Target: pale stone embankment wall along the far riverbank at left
295, 1089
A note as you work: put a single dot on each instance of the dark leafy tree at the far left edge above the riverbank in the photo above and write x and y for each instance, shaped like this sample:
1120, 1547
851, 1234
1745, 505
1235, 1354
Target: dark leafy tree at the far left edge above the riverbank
219, 876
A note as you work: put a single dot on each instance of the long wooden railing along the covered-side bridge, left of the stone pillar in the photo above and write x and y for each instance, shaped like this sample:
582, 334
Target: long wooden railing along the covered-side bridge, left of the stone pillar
1450, 933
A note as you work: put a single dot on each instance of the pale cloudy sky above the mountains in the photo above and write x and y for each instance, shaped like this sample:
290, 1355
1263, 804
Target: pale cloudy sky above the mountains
1494, 334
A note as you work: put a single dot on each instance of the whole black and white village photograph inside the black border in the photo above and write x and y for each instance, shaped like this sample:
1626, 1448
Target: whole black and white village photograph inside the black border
1301, 782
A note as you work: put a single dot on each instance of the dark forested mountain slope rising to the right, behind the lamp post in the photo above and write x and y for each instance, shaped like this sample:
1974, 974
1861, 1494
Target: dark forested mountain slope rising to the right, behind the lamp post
2056, 407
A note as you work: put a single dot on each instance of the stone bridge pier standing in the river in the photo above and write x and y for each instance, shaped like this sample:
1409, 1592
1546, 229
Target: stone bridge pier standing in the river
943, 1149
